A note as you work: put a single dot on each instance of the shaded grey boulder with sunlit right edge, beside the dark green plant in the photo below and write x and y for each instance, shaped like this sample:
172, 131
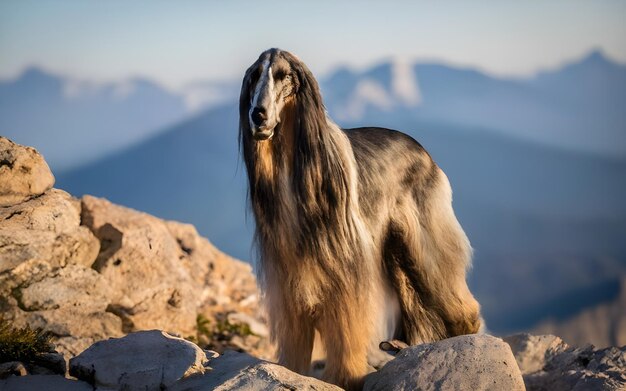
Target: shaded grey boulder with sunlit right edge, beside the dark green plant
141, 360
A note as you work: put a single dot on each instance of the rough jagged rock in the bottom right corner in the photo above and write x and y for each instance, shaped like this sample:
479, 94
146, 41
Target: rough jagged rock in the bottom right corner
547, 363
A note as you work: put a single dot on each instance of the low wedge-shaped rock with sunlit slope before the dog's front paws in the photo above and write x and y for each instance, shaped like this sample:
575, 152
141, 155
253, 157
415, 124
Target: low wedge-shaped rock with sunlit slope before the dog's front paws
240, 371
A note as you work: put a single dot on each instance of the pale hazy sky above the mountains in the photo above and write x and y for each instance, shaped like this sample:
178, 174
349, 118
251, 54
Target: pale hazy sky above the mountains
177, 42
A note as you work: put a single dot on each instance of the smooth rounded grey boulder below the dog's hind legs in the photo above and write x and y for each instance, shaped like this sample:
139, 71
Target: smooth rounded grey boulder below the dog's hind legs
470, 362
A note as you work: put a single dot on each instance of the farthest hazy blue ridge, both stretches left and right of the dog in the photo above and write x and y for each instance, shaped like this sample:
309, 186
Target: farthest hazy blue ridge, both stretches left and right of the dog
578, 106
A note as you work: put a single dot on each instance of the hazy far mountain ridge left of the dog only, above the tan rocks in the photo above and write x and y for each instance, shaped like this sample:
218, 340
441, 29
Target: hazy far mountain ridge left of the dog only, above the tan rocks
74, 122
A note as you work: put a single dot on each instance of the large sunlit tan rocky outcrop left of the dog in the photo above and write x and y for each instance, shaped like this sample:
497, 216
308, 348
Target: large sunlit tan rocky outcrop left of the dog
88, 270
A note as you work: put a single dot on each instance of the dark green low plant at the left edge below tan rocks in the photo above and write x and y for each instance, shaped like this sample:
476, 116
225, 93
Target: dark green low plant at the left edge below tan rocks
23, 344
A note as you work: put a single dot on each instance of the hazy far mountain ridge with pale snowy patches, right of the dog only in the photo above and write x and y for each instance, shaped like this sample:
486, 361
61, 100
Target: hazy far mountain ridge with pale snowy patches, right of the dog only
579, 106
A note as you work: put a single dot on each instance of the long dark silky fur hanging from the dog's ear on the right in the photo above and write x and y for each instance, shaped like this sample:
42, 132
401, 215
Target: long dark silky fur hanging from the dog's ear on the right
322, 185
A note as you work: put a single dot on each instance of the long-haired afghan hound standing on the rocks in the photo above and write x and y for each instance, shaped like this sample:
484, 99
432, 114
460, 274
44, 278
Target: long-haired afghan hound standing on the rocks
355, 230
